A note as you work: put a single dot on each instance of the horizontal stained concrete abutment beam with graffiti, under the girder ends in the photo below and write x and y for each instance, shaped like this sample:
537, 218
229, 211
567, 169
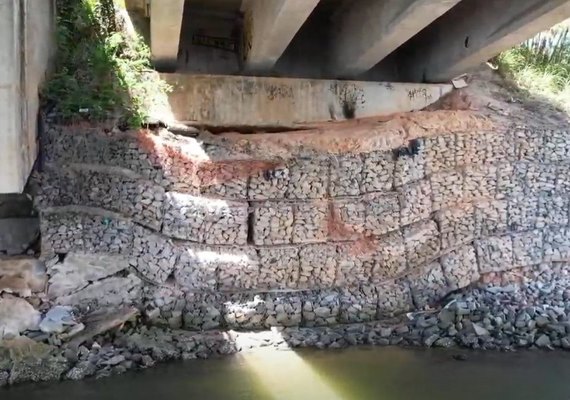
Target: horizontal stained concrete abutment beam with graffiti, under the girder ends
241, 101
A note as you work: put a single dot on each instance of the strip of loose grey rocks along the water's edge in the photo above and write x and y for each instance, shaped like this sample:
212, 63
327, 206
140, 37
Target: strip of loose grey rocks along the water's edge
522, 309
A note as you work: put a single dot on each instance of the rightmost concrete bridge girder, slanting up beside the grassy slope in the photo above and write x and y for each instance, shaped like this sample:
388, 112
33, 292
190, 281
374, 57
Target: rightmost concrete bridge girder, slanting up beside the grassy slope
472, 33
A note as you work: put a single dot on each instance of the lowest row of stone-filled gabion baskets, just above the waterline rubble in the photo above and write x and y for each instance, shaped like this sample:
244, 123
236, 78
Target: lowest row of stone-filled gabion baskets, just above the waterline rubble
170, 306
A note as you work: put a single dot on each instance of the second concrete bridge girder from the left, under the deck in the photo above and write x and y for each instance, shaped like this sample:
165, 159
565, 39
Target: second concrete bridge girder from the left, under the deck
269, 27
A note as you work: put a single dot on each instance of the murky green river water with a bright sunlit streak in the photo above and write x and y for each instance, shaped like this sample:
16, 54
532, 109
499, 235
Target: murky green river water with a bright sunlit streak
351, 374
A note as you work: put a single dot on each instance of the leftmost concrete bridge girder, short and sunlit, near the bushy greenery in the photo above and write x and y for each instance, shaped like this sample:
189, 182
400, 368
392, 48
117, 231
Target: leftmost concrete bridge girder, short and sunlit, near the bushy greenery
165, 27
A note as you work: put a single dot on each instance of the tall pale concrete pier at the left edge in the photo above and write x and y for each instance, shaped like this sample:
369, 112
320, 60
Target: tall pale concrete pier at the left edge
27, 44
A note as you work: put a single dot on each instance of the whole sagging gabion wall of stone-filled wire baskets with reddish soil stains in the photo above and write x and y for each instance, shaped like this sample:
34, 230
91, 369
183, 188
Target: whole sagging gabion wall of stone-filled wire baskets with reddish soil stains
247, 241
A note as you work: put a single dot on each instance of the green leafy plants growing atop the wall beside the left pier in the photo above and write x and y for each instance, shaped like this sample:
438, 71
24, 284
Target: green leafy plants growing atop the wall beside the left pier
103, 70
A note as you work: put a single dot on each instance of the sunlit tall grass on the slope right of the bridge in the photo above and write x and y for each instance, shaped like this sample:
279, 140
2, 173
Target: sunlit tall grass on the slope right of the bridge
541, 65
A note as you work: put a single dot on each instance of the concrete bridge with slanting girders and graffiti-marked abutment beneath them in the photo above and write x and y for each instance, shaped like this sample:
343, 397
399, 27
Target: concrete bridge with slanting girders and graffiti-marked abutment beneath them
292, 63
